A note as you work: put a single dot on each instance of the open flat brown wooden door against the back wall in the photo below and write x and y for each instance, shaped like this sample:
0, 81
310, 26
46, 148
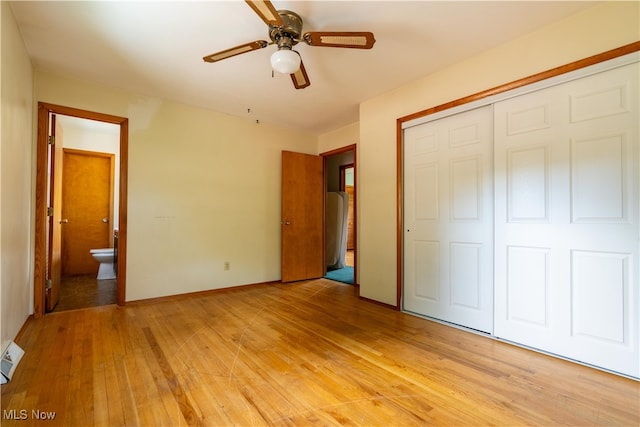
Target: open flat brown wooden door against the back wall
302, 217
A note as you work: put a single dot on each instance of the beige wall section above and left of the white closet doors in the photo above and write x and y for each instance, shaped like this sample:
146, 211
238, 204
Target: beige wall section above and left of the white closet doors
603, 27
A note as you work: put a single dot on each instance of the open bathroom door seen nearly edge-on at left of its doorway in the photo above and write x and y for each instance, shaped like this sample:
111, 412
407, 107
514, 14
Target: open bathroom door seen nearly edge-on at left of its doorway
54, 272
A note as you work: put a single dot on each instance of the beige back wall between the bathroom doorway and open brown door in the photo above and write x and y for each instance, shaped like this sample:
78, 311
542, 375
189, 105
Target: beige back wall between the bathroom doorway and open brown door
204, 189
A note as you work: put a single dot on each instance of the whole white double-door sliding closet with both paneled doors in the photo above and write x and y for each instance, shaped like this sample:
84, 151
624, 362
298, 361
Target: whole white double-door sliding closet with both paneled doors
521, 216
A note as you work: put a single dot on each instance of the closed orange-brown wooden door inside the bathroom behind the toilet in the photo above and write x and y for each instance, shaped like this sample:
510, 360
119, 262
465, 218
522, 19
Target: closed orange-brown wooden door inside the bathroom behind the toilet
86, 209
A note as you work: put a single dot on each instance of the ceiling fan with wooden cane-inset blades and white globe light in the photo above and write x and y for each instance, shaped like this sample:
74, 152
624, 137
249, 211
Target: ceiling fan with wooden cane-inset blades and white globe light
285, 31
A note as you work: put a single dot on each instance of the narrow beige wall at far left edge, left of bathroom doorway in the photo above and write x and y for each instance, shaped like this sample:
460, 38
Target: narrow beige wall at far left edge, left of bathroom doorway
16, 160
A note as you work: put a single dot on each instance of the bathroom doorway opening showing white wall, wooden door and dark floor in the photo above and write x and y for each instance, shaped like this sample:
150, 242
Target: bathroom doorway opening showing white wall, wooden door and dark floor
89, 172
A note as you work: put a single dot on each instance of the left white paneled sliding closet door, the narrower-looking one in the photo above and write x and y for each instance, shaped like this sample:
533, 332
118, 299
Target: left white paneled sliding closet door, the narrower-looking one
448, 219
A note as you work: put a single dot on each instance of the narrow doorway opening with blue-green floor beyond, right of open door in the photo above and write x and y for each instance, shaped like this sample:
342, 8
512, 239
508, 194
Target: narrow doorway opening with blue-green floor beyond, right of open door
340, 178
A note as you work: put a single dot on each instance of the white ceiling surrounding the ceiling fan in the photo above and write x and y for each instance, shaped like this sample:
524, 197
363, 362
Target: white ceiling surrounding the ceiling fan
156, 48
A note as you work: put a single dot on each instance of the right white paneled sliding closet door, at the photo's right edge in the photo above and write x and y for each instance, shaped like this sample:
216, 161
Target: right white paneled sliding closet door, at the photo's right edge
567, 206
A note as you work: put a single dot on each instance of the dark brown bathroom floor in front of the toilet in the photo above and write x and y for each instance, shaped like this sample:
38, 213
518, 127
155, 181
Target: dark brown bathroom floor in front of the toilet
85, 291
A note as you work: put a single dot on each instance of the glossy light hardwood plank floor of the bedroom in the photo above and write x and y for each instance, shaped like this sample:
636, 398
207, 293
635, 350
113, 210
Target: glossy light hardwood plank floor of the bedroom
308, 353
